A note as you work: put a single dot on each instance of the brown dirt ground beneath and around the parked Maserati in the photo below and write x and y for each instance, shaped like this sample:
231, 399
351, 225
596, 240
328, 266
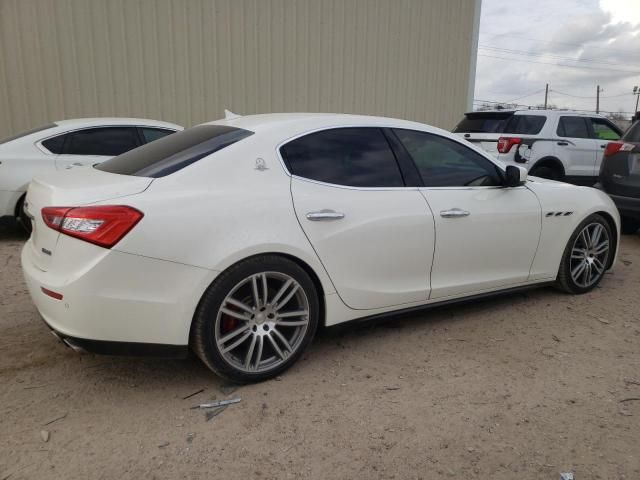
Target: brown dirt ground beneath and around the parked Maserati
525, 386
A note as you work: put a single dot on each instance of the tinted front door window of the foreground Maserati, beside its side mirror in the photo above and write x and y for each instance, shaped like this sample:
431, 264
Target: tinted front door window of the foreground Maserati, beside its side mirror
445, 163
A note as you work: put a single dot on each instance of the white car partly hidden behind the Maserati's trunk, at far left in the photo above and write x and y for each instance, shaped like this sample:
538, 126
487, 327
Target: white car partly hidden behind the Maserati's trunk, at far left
64, 144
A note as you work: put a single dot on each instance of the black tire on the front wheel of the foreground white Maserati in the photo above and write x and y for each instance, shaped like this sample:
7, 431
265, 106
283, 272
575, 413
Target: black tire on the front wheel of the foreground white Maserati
565, 280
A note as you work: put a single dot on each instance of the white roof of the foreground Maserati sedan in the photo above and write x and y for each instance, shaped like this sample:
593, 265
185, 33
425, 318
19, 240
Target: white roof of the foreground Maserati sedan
290, 124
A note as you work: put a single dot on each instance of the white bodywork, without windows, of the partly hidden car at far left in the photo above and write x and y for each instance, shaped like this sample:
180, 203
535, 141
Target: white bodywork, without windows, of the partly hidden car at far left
25, 157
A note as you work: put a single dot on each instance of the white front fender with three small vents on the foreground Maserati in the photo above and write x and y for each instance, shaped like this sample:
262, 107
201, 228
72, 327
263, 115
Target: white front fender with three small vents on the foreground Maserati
560, 198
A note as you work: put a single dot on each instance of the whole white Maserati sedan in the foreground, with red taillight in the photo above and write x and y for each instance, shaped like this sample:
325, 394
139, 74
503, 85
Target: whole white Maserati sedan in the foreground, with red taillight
238, 238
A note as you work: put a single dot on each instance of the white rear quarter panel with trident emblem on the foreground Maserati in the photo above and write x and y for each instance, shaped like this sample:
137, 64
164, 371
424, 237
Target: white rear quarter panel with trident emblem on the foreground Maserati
222, 210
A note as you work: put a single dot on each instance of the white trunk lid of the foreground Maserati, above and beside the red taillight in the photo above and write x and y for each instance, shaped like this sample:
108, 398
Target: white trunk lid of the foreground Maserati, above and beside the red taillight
72, 188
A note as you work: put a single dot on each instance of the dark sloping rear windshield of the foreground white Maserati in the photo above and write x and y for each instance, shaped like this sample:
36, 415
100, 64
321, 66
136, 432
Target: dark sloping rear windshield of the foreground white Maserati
174, 152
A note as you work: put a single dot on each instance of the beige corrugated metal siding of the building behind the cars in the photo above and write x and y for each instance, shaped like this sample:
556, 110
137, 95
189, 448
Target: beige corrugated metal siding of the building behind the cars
186, 60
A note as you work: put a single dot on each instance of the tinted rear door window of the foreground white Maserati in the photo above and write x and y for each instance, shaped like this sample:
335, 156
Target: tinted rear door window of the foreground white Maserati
356, 157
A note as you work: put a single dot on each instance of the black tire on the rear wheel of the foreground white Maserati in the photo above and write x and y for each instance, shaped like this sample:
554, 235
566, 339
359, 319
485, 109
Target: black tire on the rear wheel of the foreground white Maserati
208, 319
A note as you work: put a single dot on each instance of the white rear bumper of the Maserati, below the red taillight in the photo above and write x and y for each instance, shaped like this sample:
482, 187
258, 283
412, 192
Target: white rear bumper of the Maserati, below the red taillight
118, 303
